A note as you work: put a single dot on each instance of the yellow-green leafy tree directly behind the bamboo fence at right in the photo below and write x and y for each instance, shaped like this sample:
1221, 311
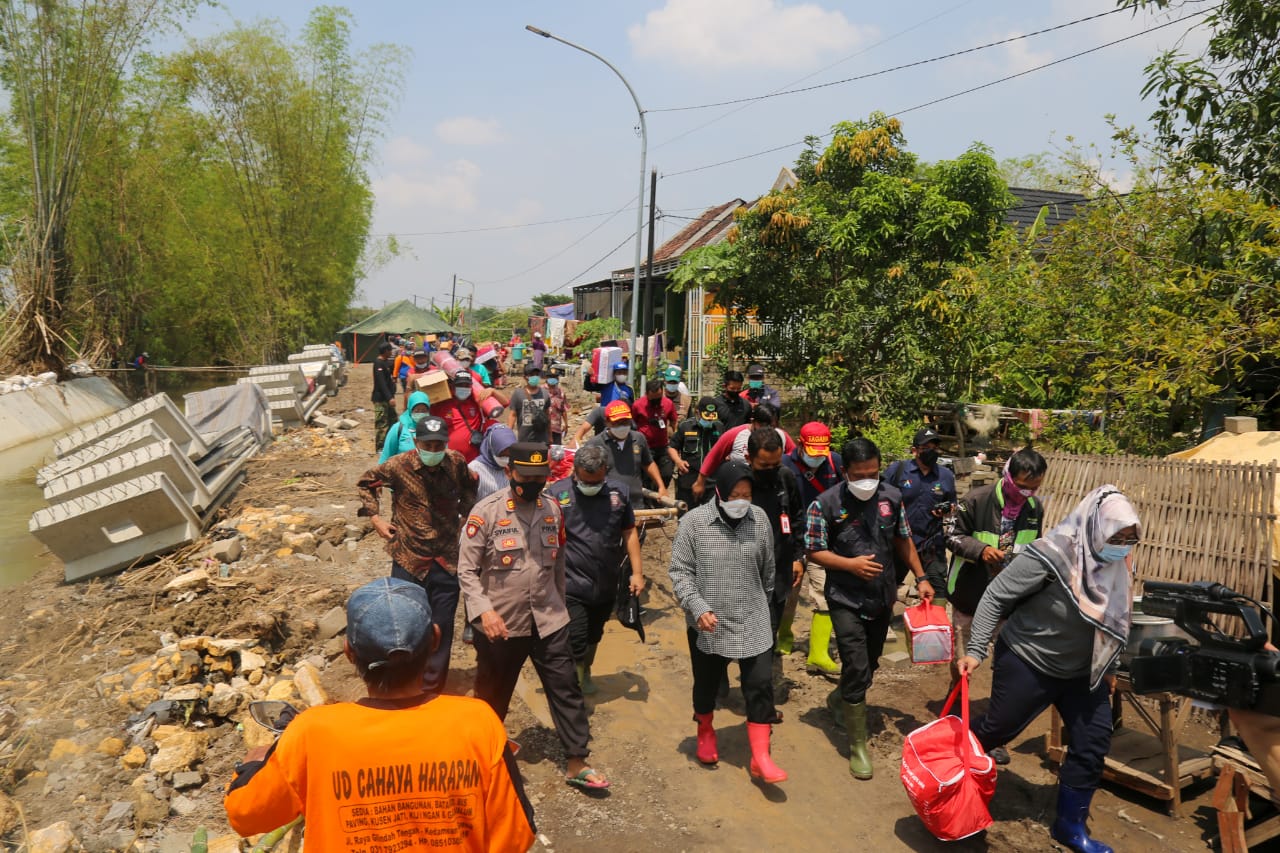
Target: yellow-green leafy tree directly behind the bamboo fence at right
1154, 307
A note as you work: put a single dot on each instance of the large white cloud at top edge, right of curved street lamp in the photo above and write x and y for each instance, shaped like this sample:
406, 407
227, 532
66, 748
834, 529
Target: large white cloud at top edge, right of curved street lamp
725, 35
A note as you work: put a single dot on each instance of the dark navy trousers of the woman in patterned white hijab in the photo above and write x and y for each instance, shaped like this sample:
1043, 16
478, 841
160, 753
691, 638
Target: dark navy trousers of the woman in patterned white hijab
1021, 694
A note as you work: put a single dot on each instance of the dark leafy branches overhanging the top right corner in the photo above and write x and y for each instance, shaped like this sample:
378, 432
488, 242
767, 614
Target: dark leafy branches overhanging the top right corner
1223, 107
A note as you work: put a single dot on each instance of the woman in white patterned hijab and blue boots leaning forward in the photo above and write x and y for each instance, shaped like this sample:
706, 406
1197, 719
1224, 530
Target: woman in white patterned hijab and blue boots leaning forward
1067, 604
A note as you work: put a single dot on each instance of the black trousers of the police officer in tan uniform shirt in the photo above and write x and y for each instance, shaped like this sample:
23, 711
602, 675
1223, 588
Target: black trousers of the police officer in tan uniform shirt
499, 667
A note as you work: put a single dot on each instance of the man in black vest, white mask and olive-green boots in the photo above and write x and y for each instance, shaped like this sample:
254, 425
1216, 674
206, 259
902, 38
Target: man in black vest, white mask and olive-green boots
858, 532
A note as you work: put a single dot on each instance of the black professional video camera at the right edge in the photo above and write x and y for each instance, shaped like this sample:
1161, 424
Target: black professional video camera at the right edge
1222, 669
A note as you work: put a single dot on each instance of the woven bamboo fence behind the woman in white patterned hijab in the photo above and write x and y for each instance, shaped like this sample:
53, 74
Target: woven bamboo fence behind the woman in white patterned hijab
1200, 521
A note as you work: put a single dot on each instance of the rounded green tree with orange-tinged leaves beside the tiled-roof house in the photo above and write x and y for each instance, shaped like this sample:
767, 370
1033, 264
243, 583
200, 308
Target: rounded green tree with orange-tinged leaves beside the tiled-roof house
839, 267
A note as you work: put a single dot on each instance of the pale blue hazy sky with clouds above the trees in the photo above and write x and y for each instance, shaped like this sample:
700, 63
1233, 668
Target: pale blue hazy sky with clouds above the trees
514, 162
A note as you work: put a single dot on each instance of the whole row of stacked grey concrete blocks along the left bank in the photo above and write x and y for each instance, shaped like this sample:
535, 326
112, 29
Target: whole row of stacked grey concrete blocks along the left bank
145, 481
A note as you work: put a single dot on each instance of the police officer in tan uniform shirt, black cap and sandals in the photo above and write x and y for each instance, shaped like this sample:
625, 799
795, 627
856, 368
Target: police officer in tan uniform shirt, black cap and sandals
511, 568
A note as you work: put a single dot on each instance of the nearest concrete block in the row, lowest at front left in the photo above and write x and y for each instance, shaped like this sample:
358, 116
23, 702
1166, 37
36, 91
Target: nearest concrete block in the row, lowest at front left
107, 531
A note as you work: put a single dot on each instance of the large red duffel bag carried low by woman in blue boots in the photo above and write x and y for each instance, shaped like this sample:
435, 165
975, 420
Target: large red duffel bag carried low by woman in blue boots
948, 776
